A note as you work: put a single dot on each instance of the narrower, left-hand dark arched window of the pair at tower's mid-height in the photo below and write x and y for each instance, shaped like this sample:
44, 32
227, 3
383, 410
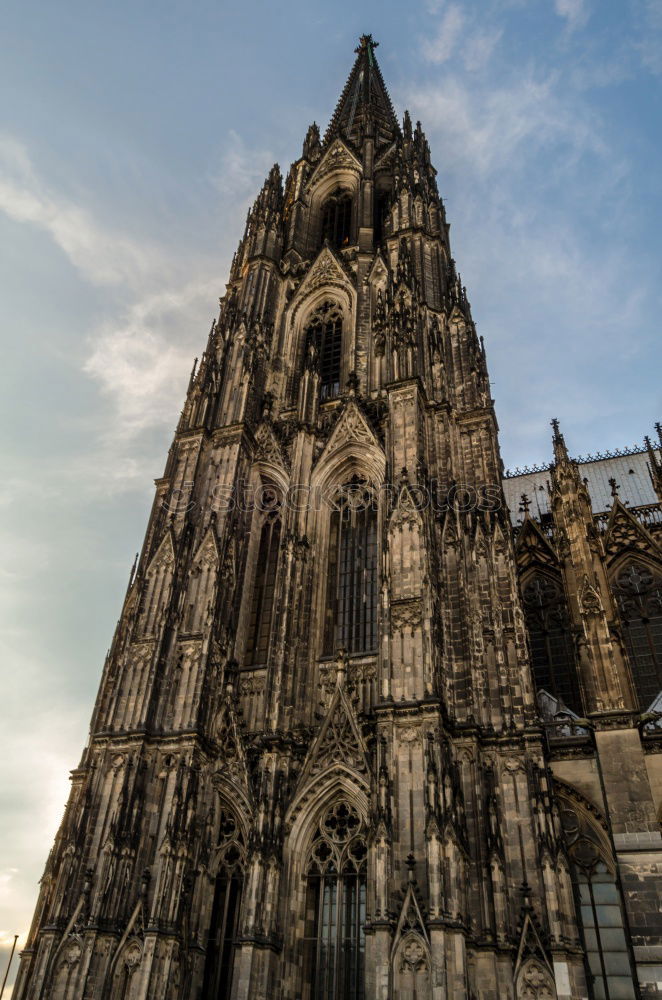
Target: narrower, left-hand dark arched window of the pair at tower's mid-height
264, 589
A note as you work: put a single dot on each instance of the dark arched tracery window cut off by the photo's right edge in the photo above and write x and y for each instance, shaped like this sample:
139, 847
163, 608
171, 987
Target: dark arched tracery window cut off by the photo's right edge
638, 591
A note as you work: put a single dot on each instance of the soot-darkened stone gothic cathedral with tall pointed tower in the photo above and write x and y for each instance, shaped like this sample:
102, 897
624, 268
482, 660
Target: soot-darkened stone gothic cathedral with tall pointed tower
378, 719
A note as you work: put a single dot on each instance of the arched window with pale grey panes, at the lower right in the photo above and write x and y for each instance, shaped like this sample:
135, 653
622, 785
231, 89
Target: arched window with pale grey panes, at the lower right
601, 913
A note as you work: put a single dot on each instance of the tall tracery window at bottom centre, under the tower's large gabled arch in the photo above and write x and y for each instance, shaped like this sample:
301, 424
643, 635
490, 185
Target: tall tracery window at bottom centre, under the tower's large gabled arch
334, 942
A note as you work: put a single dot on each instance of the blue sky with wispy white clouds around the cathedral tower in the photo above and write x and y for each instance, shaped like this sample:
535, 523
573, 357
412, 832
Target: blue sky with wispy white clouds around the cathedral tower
135, 134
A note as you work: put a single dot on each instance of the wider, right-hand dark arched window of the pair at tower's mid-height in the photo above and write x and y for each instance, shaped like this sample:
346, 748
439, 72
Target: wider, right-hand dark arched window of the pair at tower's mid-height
351, 604
